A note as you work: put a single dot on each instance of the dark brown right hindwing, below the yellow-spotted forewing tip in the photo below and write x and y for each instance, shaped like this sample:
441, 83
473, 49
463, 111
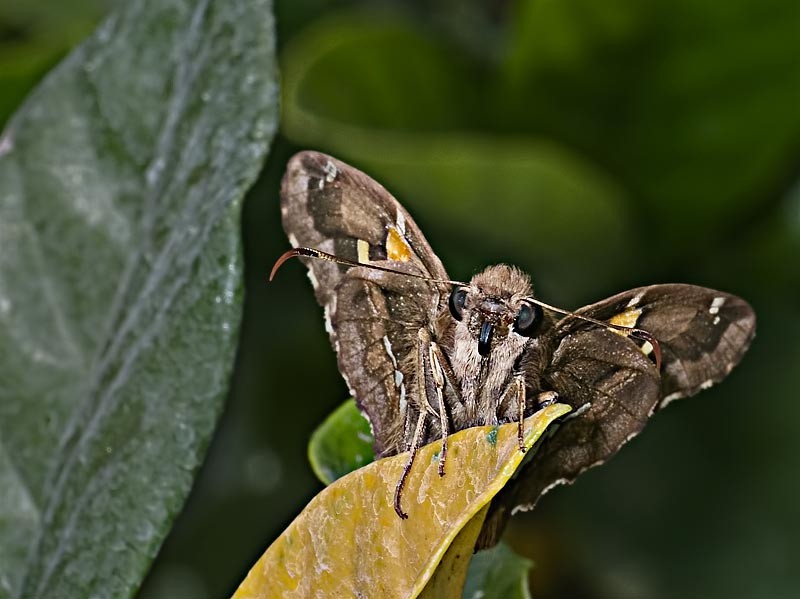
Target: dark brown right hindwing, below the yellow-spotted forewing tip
613, 388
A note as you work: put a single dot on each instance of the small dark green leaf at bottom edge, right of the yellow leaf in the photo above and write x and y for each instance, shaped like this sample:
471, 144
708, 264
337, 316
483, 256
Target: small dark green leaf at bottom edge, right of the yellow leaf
498, 573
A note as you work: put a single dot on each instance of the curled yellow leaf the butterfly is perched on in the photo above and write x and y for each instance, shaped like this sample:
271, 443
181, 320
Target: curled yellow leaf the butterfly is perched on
349, 542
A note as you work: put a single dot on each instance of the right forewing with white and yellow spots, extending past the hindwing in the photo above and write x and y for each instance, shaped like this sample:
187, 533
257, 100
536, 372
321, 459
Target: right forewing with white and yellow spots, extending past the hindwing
703, 333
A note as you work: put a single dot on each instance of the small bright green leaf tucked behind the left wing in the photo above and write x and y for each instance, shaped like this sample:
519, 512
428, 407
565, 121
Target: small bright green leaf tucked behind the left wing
341, 444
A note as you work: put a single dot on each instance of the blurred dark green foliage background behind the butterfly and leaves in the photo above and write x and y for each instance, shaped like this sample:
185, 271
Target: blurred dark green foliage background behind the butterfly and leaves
597, 145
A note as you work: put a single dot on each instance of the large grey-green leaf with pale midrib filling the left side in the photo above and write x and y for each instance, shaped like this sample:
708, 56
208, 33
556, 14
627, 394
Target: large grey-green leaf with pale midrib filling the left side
121, 180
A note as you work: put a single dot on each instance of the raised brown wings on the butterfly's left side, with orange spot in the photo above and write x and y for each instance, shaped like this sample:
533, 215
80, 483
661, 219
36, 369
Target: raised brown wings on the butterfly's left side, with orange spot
372, 317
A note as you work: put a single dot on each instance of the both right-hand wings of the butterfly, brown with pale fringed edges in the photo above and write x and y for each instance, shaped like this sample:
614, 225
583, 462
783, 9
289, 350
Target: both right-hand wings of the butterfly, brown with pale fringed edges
613, 385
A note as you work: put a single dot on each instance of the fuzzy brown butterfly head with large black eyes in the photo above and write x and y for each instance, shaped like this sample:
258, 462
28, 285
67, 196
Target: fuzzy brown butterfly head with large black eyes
494, 309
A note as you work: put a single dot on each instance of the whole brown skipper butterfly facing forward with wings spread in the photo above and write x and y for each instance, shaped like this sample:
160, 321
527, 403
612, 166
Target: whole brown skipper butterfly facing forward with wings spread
425, 356
